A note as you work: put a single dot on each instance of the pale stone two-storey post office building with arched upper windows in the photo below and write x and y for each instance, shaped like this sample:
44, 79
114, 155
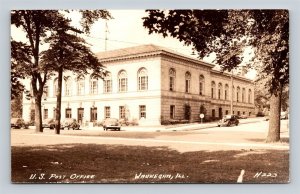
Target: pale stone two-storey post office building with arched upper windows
147, 84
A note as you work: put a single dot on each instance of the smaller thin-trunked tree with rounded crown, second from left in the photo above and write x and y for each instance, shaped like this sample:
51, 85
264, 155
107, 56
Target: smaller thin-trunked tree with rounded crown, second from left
66, 53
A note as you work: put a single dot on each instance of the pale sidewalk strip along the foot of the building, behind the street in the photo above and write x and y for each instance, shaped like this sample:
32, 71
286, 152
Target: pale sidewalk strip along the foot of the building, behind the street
180, 127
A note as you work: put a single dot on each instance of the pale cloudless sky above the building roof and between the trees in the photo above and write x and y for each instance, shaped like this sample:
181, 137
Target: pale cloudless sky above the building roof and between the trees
126, 30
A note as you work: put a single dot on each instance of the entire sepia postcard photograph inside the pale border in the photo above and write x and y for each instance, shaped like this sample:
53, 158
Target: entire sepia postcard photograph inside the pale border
150, 96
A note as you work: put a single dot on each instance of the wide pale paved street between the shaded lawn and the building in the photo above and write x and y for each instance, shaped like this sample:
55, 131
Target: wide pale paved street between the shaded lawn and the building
248, 136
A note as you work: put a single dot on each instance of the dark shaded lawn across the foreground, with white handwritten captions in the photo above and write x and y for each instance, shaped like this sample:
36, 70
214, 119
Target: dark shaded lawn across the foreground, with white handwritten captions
93, 163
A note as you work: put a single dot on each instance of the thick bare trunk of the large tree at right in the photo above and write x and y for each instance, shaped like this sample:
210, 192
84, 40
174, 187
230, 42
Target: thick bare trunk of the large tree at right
274, 122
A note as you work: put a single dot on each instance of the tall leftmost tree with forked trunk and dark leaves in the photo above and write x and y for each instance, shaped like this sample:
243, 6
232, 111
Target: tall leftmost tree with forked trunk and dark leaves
38, 25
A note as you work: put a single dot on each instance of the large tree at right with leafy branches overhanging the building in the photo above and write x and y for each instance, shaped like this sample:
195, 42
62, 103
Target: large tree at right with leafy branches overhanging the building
227, 33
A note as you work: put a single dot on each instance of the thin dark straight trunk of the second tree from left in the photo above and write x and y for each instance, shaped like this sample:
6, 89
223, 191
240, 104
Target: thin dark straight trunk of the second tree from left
58, 102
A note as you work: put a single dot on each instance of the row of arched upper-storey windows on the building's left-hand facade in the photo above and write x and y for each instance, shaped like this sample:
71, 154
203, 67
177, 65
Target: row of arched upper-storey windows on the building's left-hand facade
142, 80
